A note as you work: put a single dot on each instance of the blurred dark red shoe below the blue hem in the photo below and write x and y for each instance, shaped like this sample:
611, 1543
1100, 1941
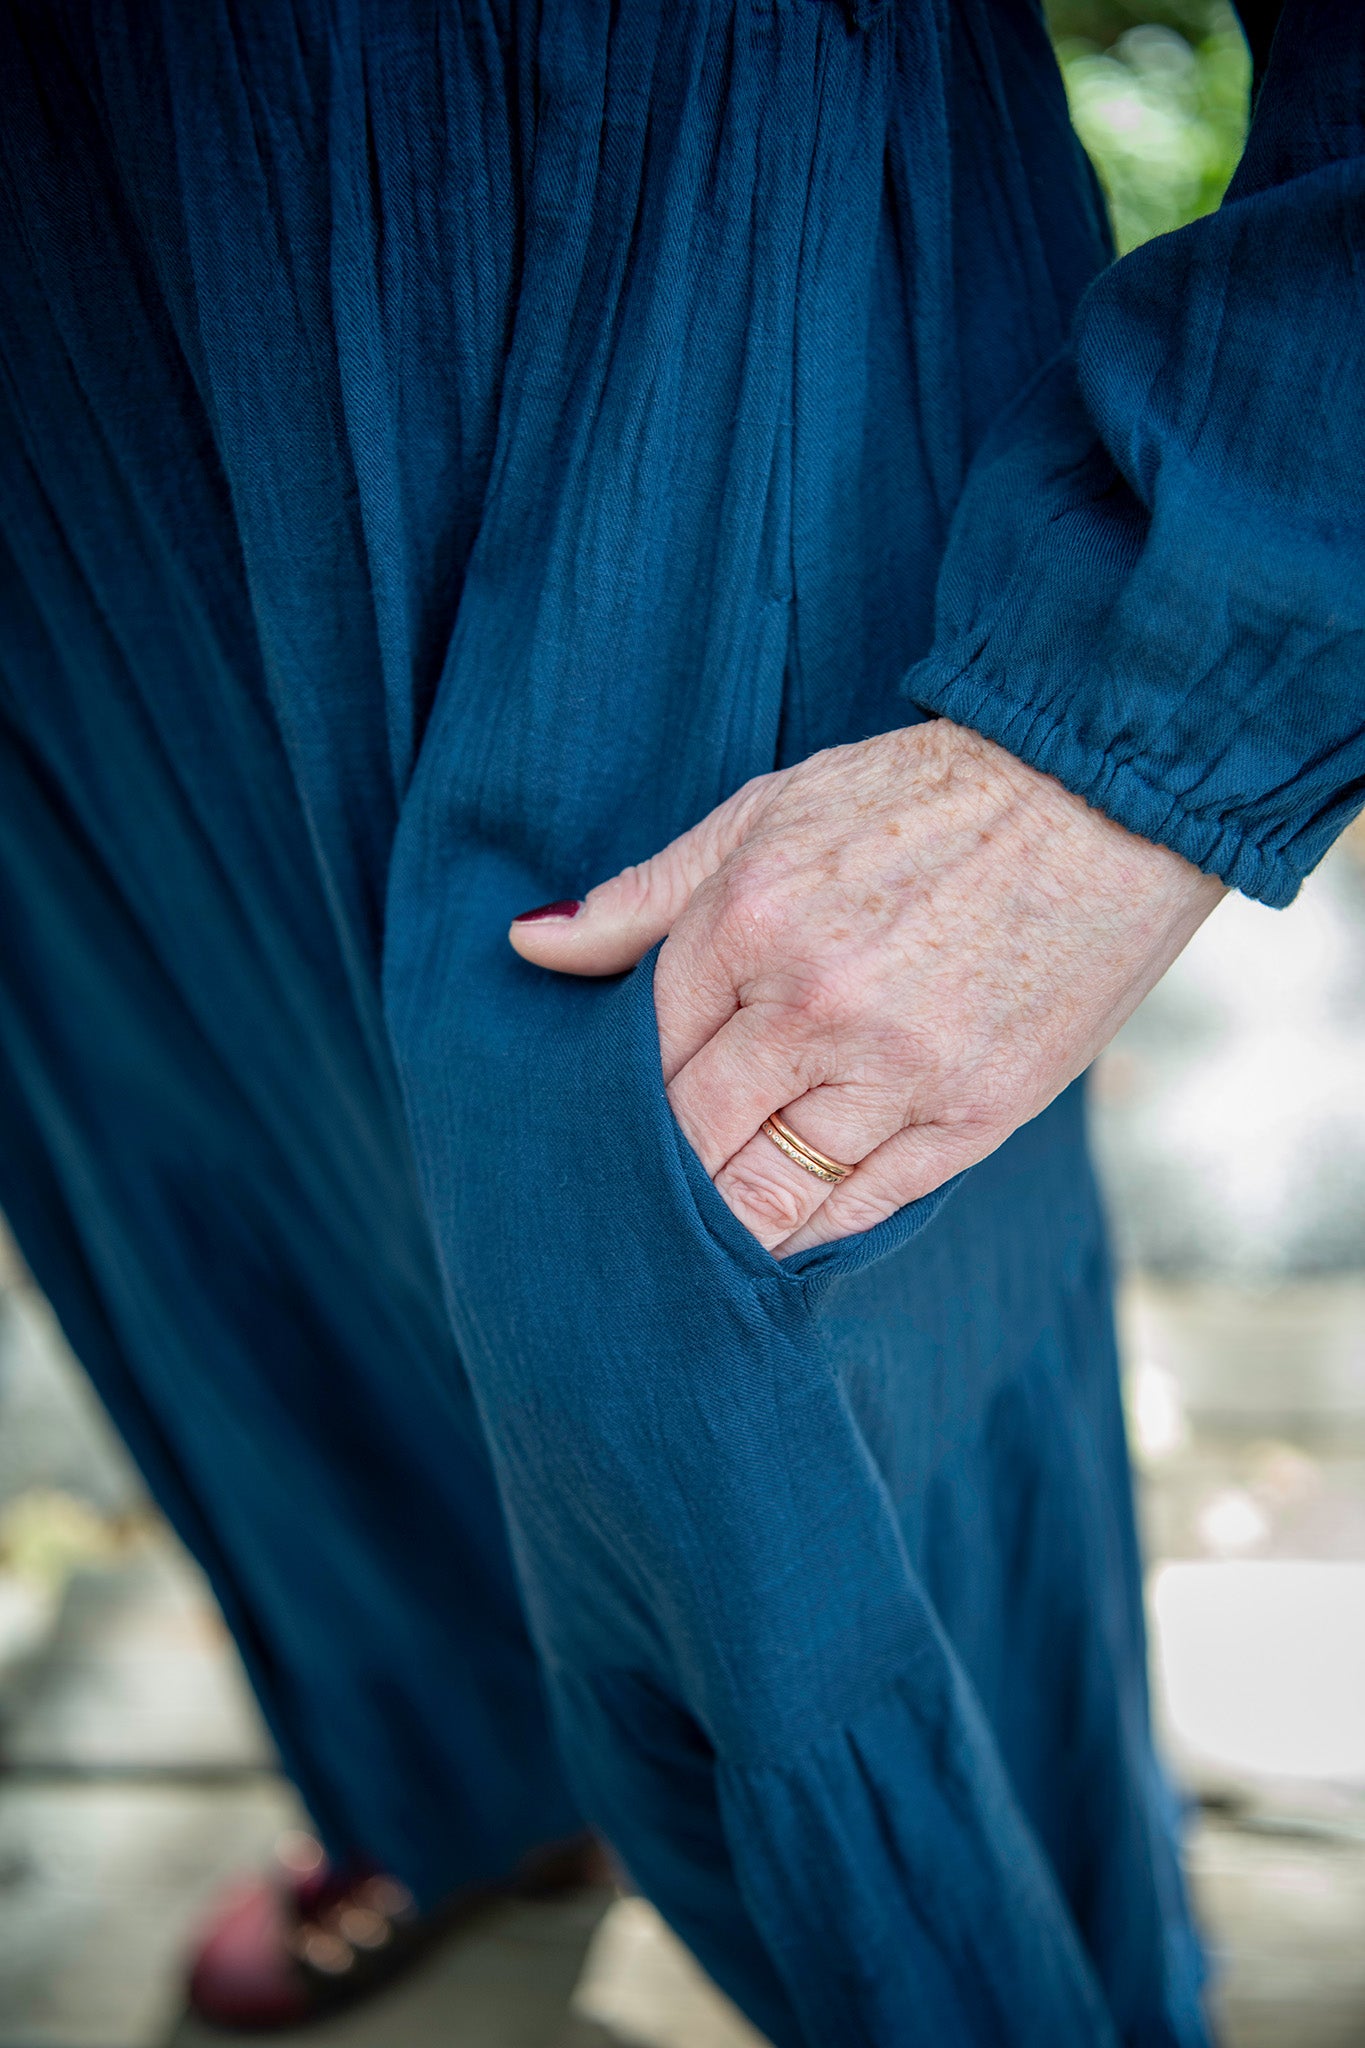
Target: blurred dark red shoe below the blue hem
308, 1940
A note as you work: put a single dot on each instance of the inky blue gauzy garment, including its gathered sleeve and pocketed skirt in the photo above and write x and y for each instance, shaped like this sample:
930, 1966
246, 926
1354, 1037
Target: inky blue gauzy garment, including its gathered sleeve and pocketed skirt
445, 452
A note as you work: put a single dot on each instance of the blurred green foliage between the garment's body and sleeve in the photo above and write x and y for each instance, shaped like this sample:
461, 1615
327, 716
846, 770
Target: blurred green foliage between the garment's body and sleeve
1159, 97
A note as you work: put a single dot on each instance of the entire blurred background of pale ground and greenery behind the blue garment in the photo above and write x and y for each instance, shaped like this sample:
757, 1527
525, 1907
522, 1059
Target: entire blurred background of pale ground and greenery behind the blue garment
1231, 1129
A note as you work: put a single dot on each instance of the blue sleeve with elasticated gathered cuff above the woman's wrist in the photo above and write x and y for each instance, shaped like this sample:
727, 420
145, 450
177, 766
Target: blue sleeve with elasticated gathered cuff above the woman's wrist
1155, 583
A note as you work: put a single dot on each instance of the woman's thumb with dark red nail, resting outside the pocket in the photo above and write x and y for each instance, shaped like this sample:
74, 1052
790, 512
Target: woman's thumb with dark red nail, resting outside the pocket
617, 923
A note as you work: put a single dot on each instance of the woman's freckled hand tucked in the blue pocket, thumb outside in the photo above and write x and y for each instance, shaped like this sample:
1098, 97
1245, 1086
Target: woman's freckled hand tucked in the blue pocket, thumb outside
906, 947
